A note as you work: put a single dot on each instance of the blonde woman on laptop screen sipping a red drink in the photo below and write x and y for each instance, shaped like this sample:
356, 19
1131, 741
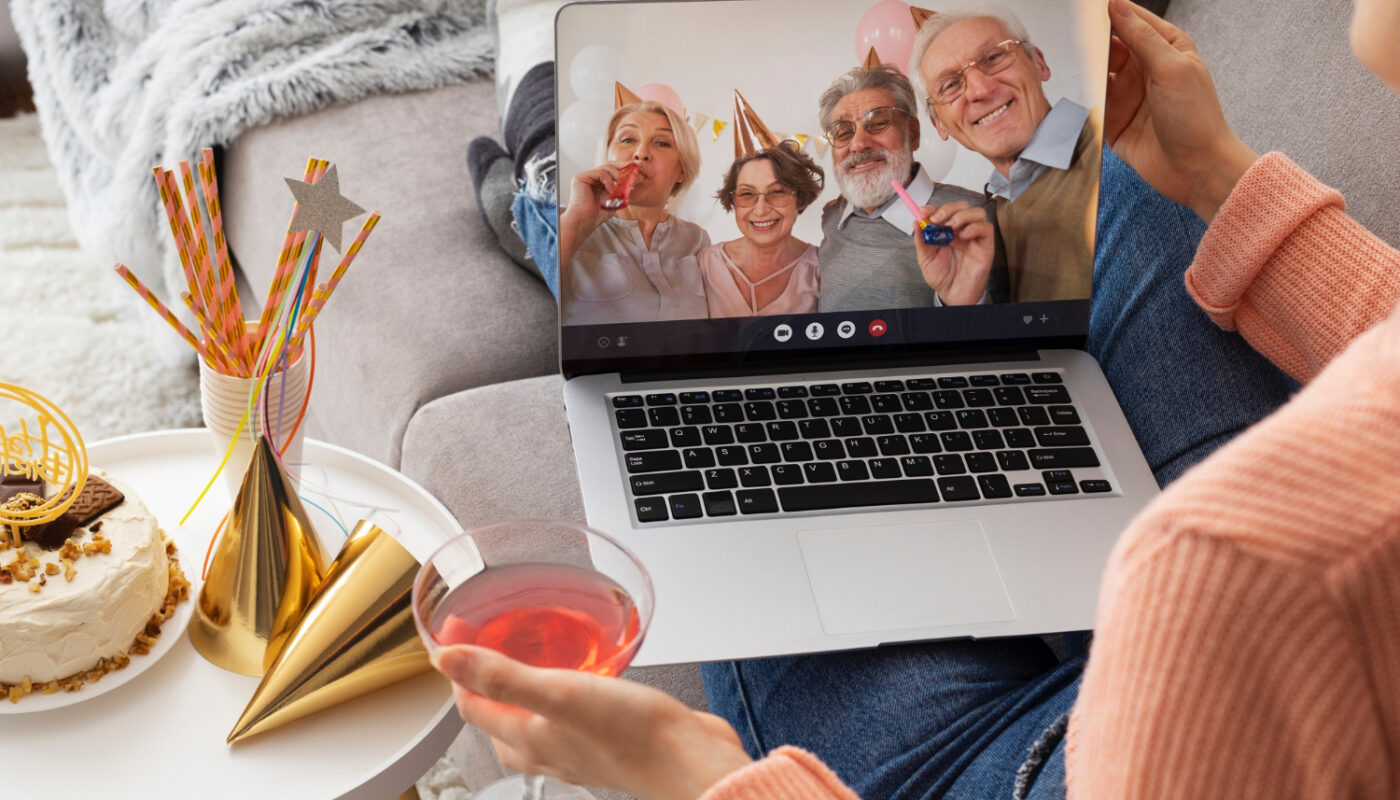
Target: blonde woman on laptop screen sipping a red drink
636, 264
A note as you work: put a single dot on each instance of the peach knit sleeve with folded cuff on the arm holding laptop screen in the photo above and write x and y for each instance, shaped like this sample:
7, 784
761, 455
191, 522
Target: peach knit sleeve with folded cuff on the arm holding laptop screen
1286, 267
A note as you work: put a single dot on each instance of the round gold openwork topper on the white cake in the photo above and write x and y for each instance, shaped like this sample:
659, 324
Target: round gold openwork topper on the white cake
51, 449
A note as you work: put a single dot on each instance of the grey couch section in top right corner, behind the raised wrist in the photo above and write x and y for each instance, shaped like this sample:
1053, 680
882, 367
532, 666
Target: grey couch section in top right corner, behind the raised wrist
1289, 82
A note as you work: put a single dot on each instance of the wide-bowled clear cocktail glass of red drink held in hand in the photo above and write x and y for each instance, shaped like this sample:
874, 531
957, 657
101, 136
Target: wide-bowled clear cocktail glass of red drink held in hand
547, 593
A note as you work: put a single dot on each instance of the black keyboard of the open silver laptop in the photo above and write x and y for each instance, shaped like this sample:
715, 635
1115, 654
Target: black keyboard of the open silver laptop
762, 450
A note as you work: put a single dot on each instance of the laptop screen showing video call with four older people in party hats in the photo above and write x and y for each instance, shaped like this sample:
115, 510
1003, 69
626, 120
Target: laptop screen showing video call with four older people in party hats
727, 179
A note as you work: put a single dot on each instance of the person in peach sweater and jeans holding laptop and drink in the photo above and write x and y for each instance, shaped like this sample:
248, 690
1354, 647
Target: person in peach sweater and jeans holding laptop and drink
1245, 635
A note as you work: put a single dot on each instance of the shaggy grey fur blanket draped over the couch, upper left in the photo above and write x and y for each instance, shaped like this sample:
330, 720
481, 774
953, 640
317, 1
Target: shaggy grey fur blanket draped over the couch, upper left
124, 86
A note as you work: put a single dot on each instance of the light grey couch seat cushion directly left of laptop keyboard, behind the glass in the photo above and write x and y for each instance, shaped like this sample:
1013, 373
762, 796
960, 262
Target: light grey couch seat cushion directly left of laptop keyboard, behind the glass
505, 452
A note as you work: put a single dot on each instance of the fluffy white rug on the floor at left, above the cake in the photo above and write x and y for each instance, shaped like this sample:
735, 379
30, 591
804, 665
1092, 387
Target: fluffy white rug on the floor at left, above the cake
71, 333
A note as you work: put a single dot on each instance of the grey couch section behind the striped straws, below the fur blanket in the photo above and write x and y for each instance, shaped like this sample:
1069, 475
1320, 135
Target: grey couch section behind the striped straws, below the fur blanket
432, 305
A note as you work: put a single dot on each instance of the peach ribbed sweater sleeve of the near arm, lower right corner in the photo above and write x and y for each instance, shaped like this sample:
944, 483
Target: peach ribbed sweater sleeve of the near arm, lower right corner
1245, 640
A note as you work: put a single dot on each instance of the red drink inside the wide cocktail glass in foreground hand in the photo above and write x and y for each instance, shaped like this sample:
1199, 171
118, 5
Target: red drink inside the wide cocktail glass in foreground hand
545, 616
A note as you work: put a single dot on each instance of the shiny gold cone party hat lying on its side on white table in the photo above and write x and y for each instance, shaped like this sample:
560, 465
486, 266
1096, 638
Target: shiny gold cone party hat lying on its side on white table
358, 637
